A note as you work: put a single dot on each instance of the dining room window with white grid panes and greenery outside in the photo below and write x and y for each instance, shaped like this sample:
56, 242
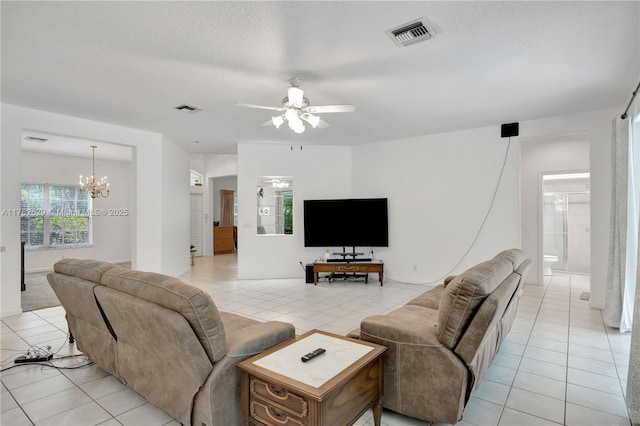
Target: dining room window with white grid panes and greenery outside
55, 216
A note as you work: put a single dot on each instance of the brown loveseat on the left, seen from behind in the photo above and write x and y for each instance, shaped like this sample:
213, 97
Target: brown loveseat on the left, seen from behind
163, 338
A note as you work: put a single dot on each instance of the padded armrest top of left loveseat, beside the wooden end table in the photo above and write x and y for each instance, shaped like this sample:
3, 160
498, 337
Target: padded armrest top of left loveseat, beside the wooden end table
258, 338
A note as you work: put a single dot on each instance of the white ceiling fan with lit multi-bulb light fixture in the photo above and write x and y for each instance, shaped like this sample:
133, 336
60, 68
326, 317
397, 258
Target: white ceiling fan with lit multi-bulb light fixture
296, 109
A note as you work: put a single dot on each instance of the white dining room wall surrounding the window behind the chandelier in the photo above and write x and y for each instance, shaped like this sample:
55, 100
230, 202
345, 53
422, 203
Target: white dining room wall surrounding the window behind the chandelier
111, 234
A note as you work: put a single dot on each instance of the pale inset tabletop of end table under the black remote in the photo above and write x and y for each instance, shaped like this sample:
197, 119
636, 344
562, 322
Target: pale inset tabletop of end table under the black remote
339, 355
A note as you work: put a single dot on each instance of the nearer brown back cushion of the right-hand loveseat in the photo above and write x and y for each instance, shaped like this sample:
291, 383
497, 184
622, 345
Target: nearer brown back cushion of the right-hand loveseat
465, 293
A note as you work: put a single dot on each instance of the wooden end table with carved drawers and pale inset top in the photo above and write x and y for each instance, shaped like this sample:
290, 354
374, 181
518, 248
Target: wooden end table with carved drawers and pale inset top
335, 388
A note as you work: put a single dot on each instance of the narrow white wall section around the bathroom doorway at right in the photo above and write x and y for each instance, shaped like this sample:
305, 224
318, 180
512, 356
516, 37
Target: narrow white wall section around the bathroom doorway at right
543, 155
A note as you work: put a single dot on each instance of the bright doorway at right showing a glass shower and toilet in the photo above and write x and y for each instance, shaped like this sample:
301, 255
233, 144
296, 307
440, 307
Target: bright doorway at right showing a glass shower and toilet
566, 223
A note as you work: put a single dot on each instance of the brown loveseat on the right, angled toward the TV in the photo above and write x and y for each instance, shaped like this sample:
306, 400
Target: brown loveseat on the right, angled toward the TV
442, 342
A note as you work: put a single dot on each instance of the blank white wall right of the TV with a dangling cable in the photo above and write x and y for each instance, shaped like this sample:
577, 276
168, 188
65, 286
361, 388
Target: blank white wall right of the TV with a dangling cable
439, 189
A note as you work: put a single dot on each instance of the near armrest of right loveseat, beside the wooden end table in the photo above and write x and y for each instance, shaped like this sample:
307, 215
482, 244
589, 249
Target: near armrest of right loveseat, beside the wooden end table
422, 378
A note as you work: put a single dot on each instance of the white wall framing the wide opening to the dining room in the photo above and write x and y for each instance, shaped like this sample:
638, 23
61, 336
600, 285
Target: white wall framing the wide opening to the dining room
147, 193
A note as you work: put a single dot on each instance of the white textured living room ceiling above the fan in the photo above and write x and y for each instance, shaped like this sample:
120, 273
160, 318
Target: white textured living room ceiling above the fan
131, 63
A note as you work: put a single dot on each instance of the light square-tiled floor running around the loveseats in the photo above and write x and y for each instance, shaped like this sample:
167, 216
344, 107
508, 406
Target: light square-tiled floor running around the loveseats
559, 364
